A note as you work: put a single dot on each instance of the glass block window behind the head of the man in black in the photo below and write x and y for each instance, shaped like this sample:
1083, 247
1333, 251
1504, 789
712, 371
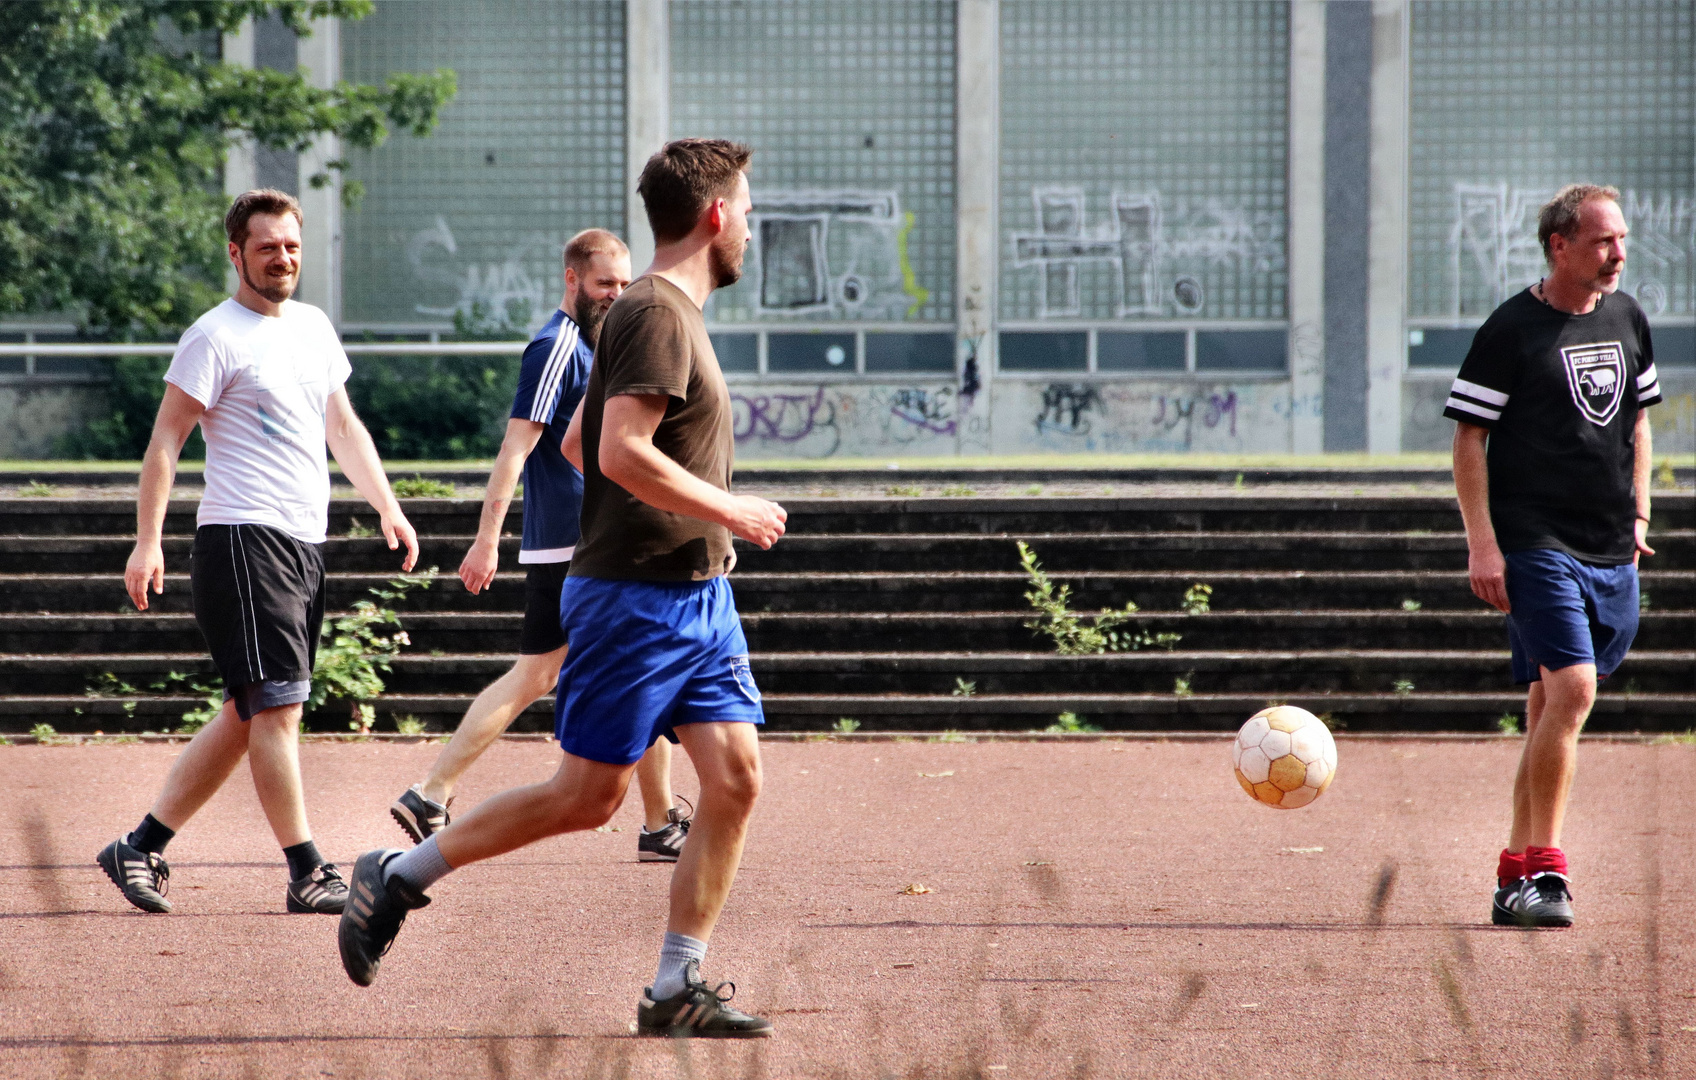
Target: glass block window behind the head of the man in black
1514, 99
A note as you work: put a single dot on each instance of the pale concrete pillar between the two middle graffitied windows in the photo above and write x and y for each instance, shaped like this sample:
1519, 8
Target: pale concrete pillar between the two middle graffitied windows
978, 164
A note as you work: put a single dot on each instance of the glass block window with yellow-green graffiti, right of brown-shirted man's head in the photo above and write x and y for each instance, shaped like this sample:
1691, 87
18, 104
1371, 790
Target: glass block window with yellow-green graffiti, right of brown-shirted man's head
849, 108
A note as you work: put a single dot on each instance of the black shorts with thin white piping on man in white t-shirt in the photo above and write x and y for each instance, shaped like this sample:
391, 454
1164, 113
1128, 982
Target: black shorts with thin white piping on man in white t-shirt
260, 604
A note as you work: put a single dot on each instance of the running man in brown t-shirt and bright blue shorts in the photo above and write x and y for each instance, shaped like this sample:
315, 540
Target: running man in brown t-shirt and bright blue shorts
656, 642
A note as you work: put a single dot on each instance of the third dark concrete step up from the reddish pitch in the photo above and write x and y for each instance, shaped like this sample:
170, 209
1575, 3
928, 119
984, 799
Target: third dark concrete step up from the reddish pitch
876, 632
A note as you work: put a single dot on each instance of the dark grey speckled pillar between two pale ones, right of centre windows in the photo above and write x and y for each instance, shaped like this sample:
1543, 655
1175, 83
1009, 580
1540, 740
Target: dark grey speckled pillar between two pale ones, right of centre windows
1347, 182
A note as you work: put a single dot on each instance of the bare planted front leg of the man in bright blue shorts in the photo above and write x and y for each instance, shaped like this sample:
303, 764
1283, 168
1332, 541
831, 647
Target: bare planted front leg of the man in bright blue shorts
728, 762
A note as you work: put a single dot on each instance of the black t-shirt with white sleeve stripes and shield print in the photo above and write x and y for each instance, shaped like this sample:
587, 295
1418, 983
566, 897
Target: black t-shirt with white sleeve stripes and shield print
1559, 396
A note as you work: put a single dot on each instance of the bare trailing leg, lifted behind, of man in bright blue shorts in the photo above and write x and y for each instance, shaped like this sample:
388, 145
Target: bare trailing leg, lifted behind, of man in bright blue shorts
583, 796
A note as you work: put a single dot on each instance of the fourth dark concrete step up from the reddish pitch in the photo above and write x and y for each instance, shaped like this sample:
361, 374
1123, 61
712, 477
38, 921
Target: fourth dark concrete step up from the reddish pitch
886, 591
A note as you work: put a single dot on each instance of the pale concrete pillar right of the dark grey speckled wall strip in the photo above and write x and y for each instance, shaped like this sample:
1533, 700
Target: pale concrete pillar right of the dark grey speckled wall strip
1388, 245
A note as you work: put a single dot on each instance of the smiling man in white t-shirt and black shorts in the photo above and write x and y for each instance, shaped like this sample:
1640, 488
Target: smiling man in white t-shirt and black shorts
264, 377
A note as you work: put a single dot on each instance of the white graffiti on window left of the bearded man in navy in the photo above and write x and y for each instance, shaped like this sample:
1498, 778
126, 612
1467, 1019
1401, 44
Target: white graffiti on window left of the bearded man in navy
506, 296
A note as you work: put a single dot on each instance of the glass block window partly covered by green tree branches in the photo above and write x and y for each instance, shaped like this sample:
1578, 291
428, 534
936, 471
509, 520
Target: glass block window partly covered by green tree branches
471, 221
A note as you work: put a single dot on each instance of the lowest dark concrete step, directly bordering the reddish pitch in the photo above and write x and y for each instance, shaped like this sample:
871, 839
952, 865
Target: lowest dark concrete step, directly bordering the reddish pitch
937, 713
